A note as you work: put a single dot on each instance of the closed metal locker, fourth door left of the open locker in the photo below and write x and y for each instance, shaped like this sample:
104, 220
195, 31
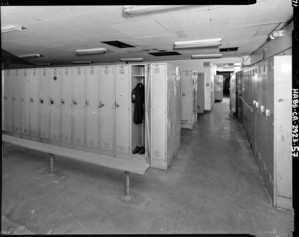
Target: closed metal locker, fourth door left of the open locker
78, 88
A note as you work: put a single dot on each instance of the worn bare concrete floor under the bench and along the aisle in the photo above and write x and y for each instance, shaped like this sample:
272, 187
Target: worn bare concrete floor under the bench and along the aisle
212, 186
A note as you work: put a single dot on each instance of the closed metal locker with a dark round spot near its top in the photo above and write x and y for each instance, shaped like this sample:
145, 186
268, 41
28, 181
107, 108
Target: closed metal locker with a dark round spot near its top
55, 105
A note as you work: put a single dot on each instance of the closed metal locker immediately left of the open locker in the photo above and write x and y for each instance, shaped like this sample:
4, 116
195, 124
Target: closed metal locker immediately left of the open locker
122, 109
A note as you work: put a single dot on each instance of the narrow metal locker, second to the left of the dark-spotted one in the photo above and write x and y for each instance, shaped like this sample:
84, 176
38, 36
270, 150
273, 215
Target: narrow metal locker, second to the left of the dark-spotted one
33, 104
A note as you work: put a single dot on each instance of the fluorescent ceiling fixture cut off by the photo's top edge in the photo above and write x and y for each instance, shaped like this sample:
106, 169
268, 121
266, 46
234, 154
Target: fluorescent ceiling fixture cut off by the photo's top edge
137, 9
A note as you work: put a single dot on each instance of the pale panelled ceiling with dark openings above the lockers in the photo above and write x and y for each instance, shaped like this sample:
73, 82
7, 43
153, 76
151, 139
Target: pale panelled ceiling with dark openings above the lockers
57, 31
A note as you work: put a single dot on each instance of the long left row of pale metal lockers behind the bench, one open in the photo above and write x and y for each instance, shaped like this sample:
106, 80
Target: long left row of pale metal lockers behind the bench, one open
90, 108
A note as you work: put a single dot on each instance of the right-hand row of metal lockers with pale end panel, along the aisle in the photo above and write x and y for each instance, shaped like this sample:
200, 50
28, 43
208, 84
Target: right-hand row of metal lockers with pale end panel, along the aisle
263, 105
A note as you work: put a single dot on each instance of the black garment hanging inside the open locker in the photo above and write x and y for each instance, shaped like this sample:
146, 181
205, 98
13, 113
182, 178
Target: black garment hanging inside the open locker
138, 99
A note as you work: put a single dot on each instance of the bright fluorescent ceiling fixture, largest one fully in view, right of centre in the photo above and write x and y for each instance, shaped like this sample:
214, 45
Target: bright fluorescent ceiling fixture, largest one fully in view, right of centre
197, 43
